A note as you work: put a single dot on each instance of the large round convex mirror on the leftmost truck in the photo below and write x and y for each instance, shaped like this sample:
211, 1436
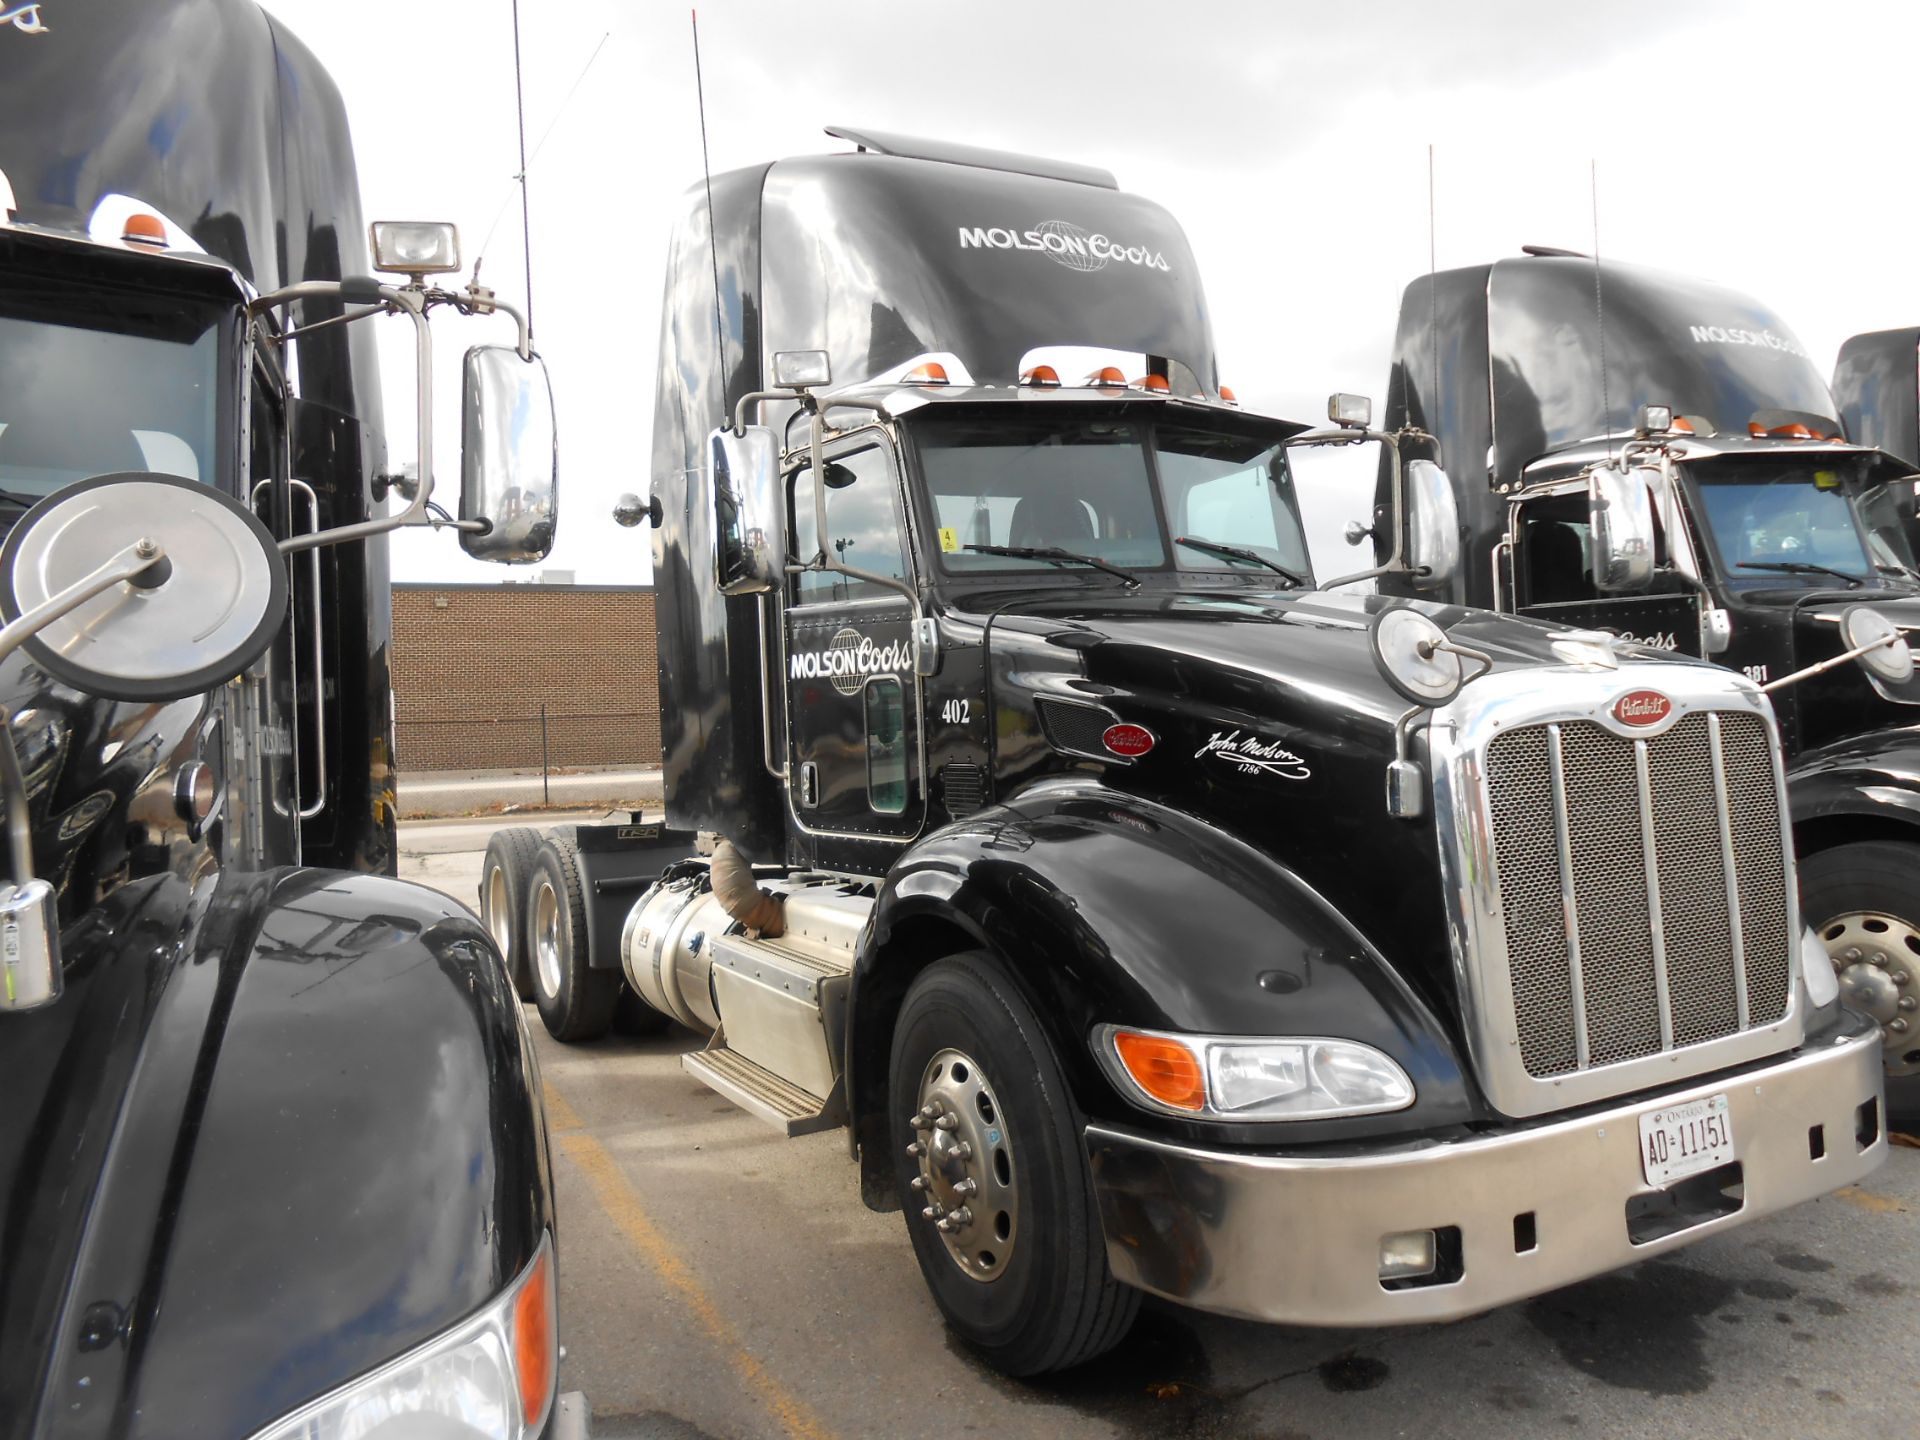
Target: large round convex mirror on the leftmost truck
195, 621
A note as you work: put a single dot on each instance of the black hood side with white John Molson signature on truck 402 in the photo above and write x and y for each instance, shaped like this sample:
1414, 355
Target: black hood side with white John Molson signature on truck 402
1270, 721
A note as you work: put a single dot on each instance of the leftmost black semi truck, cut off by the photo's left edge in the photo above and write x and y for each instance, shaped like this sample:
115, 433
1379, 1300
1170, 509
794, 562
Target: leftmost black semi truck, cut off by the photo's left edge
272, 1145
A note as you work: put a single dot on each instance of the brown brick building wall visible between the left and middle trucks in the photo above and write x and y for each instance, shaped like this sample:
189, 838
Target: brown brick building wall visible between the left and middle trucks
473, 667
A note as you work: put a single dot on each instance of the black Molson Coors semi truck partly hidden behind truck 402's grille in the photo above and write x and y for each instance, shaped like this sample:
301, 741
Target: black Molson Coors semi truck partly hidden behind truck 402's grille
1664, 462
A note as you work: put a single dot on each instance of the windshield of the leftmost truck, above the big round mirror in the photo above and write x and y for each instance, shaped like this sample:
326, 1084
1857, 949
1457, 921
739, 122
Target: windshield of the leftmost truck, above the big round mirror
93, 385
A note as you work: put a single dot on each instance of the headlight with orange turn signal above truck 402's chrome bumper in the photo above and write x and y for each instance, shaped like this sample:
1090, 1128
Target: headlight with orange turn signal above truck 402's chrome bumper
1251, 1078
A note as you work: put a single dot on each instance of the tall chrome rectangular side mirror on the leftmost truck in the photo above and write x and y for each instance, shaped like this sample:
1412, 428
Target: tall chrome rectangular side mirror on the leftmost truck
510, 468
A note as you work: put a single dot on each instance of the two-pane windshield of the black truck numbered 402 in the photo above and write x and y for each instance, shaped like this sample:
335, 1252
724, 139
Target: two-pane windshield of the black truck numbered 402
1116, 491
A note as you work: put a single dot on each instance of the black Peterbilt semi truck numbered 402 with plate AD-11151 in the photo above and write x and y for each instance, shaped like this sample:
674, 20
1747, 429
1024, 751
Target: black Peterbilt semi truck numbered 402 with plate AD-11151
1153, 919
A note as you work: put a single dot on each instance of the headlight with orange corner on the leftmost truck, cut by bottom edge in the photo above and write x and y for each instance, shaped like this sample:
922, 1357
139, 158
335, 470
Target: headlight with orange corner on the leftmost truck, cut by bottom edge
491, 1378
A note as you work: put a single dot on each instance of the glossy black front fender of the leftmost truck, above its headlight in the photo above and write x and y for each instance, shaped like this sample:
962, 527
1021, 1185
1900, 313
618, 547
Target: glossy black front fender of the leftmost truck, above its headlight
279, 1130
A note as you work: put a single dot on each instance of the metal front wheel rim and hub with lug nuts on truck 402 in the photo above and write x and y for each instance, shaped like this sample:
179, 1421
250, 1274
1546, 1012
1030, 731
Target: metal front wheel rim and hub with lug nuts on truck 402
965, 1157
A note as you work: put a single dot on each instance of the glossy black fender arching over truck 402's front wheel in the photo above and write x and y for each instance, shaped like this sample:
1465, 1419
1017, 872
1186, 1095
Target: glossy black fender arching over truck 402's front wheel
1111, 909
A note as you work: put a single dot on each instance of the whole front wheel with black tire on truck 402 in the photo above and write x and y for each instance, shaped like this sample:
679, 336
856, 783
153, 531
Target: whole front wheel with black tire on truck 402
994, 1176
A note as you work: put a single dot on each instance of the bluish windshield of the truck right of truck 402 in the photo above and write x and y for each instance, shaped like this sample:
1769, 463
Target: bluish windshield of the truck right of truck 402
1792, 523
